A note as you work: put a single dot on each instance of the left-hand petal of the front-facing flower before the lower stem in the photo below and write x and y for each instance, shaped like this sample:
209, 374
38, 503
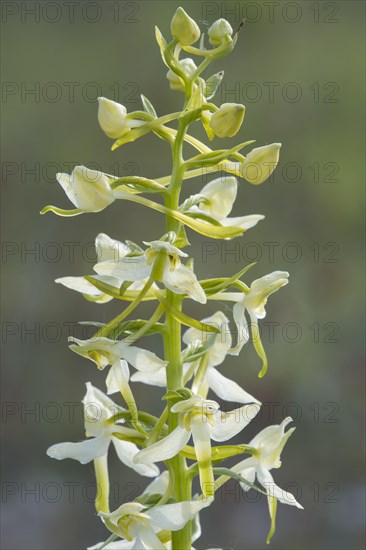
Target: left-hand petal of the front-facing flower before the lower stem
164, 449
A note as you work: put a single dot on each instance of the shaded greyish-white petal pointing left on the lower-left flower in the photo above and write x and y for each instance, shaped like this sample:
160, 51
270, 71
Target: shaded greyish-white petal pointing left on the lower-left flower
83, 451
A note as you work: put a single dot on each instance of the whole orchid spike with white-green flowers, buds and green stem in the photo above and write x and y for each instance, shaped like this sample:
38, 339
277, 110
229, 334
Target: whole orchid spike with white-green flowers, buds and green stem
166, 514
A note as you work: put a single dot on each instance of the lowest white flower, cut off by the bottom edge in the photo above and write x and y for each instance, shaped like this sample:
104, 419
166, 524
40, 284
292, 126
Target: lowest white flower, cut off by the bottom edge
140, 526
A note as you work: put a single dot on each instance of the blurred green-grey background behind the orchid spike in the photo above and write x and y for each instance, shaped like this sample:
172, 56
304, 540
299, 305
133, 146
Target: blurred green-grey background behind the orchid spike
298, 68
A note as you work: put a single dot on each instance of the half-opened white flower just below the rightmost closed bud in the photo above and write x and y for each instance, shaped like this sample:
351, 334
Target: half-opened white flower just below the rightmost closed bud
218, 198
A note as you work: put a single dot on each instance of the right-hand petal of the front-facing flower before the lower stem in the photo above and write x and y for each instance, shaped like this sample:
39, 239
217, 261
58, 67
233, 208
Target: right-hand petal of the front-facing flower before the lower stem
227, 425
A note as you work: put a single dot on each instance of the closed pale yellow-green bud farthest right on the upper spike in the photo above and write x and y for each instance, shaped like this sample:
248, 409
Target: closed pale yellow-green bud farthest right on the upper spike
260, 163
